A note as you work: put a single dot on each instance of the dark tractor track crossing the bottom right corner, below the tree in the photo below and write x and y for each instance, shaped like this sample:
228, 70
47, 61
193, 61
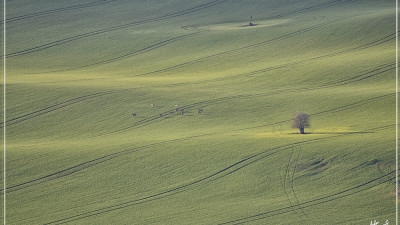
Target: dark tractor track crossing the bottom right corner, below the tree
321, 200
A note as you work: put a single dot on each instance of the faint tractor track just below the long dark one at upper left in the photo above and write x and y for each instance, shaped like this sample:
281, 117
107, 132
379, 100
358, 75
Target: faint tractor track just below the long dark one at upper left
132, 54
